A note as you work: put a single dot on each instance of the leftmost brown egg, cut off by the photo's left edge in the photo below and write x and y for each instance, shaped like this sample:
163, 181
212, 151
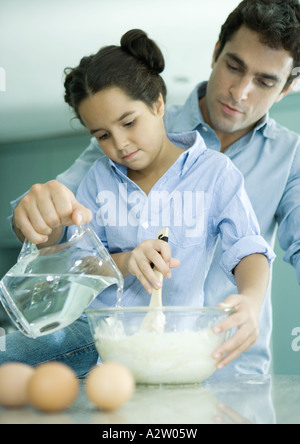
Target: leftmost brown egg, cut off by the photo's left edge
14, 378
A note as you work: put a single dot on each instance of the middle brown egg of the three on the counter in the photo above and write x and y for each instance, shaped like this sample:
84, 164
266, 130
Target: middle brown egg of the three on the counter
53, 387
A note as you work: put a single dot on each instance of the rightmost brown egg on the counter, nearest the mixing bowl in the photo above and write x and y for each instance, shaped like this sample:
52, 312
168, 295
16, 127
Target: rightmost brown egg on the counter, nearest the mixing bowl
109, 386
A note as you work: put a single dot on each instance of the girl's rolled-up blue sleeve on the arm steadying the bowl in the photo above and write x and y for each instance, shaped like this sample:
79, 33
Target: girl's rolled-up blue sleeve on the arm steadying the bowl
236, 223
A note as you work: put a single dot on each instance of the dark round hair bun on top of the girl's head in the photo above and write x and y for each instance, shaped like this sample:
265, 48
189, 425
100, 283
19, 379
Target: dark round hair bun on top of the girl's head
137, 44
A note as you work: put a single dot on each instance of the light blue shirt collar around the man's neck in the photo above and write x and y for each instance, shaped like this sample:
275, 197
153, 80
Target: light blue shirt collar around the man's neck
191, 117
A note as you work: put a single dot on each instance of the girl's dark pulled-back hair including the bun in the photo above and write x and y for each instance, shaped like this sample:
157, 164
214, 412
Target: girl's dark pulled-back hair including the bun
135, 67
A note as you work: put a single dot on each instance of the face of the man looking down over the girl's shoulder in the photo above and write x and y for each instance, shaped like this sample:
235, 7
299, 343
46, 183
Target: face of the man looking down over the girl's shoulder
247, 79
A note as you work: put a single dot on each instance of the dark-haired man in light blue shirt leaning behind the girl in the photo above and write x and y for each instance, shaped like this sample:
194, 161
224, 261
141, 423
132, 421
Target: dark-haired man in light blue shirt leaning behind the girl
253, 65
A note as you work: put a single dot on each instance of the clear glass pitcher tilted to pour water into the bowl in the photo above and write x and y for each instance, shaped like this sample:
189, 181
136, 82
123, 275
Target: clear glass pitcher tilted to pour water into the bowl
50, 288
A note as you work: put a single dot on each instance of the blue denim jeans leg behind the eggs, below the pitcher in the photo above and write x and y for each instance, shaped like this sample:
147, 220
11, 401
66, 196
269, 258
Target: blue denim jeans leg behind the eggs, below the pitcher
73, 346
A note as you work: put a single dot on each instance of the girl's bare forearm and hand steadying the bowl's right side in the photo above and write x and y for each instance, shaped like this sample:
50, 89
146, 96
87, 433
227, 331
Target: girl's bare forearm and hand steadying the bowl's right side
252, 276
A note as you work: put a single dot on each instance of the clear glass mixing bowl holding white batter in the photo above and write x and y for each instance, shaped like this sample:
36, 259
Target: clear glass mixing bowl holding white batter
179, 354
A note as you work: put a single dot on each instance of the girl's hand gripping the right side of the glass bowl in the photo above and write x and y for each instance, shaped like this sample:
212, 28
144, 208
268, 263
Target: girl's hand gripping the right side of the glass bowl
246, 320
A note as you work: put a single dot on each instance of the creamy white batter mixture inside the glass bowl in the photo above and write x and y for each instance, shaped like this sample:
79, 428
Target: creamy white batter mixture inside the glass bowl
156, 358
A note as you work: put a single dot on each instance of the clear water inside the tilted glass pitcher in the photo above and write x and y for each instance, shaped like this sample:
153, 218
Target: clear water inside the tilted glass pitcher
46, 303
